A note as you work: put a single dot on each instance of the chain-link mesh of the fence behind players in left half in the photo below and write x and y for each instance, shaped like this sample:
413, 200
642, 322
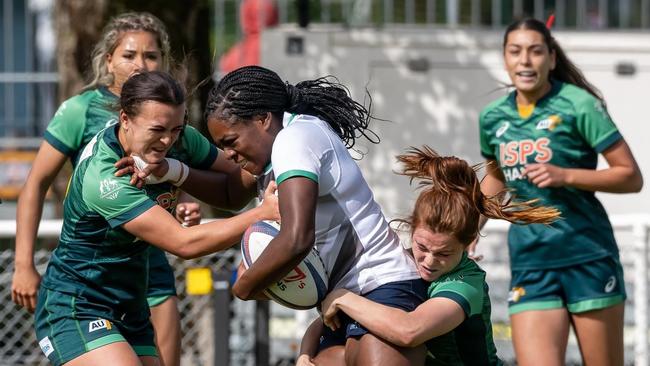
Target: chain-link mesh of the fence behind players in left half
18, 345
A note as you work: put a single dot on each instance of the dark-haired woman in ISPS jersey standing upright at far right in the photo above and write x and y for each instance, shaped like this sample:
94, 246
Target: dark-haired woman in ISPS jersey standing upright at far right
542, 141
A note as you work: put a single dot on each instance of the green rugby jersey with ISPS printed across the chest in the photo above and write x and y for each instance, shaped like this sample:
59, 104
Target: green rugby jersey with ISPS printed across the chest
567, 128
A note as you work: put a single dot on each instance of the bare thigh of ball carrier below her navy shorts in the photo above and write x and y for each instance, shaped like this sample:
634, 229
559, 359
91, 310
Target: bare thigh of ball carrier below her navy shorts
371, 350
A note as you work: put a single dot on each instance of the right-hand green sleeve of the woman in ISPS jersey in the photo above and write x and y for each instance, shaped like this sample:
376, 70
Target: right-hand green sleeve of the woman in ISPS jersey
595, 125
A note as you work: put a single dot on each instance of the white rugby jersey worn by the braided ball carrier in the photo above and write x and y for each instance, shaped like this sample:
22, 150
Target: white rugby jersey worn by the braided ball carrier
359, 249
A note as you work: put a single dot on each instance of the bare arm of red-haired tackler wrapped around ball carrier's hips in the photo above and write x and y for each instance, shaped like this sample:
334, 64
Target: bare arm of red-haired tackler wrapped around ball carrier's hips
432, 318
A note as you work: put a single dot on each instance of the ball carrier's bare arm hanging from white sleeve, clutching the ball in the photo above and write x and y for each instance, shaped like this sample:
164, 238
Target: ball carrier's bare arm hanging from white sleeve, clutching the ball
297, 198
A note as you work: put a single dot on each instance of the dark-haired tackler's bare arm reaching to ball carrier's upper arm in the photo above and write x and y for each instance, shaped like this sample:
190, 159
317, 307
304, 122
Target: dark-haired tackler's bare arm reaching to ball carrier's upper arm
161, 229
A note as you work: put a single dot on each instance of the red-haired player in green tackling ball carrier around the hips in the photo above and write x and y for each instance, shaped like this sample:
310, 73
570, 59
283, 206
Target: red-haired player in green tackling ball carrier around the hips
454, 322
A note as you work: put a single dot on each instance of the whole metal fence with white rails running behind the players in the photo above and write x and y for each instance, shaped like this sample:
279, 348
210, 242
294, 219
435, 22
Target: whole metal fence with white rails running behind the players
19, 347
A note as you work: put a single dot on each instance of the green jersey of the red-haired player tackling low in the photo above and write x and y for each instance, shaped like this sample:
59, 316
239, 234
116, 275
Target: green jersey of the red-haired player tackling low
471, 342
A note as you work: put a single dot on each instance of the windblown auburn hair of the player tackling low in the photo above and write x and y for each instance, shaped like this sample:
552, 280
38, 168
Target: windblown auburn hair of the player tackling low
451, 200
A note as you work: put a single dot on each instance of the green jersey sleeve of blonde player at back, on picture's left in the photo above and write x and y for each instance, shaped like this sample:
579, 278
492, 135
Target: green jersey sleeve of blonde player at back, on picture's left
65, 131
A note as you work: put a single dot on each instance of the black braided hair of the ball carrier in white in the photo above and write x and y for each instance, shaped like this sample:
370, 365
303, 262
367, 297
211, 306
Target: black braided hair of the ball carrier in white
252, 91
